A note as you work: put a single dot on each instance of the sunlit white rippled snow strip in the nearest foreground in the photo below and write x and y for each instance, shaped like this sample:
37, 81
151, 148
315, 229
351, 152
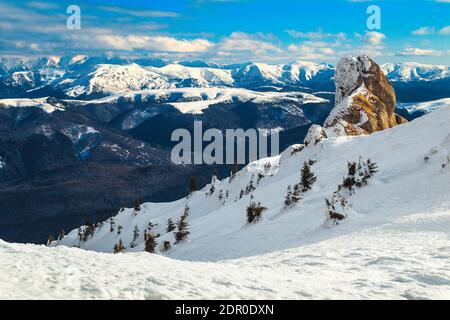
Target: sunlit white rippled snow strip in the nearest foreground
406, 258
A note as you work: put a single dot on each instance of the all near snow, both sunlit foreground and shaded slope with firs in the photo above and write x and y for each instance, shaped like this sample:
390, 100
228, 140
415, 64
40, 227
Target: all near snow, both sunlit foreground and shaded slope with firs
393, 245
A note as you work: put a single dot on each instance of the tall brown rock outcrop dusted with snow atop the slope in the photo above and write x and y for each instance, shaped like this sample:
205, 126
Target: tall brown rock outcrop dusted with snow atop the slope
365, 100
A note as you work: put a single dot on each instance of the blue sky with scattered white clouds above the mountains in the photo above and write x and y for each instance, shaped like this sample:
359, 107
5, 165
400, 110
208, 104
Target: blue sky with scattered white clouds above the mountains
230, 31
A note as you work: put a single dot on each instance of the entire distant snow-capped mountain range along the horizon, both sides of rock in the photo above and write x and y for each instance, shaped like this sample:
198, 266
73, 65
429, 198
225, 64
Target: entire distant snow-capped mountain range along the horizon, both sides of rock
93, 76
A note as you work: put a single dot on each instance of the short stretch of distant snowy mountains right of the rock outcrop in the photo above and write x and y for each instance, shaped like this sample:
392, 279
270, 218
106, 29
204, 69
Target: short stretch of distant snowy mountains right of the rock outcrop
412, 71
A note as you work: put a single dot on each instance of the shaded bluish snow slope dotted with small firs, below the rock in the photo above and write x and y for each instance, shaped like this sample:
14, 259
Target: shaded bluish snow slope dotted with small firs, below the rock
219, 229
